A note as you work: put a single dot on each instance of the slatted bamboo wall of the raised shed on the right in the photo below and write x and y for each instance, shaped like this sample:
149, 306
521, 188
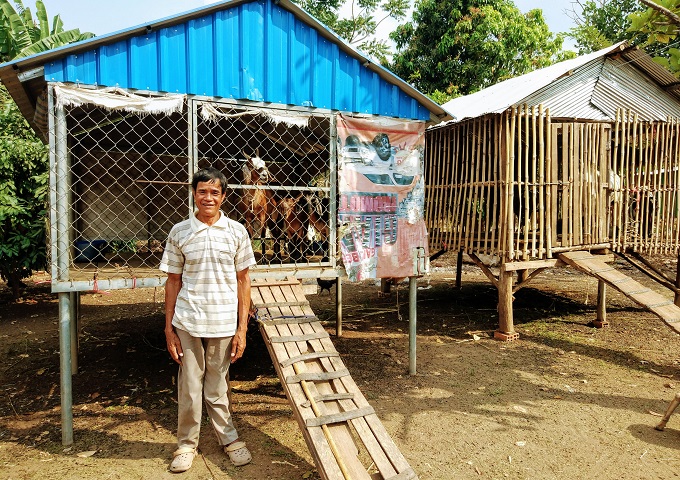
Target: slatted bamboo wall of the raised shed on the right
520, 186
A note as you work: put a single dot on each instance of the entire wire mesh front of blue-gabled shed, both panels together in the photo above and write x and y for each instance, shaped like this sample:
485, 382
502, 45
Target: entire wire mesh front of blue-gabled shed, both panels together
120, 181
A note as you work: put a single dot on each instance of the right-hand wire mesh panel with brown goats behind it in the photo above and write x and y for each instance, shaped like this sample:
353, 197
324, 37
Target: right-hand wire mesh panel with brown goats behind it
277, 164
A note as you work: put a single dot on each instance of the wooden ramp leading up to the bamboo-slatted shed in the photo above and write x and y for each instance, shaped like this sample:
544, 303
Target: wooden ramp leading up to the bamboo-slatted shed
660, 305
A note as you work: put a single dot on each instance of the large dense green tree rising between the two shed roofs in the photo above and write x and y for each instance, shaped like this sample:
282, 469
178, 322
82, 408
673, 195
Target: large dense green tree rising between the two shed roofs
456, 47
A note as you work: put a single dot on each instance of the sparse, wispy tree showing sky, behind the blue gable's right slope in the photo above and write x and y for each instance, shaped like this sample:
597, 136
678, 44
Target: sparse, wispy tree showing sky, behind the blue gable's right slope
360, 27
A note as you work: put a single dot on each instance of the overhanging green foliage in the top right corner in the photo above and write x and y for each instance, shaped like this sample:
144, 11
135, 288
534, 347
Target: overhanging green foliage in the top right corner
659, 24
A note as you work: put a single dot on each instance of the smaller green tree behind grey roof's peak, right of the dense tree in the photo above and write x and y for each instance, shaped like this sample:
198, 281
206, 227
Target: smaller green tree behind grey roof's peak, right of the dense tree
602, 23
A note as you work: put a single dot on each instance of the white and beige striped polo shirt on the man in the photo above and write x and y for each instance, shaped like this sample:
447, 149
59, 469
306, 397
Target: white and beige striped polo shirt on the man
208, 258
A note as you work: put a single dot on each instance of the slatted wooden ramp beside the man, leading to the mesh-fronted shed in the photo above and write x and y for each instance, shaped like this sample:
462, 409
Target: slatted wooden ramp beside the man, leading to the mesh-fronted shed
342, 431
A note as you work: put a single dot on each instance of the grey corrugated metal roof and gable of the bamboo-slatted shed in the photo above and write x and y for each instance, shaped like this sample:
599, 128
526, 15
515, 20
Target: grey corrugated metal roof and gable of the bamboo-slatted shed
591, 87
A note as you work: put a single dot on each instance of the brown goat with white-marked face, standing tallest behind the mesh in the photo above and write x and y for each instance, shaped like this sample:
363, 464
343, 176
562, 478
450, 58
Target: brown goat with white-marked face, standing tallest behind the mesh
257, 204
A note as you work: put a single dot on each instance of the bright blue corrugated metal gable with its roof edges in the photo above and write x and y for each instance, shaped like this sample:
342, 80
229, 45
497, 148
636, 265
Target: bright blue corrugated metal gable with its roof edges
259, 50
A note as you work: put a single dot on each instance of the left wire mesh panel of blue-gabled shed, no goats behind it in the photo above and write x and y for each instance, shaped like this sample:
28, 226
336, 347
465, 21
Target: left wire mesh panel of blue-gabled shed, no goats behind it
126, 182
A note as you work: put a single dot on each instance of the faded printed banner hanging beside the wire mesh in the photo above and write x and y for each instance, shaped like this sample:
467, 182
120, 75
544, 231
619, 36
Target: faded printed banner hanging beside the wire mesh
381, 196
